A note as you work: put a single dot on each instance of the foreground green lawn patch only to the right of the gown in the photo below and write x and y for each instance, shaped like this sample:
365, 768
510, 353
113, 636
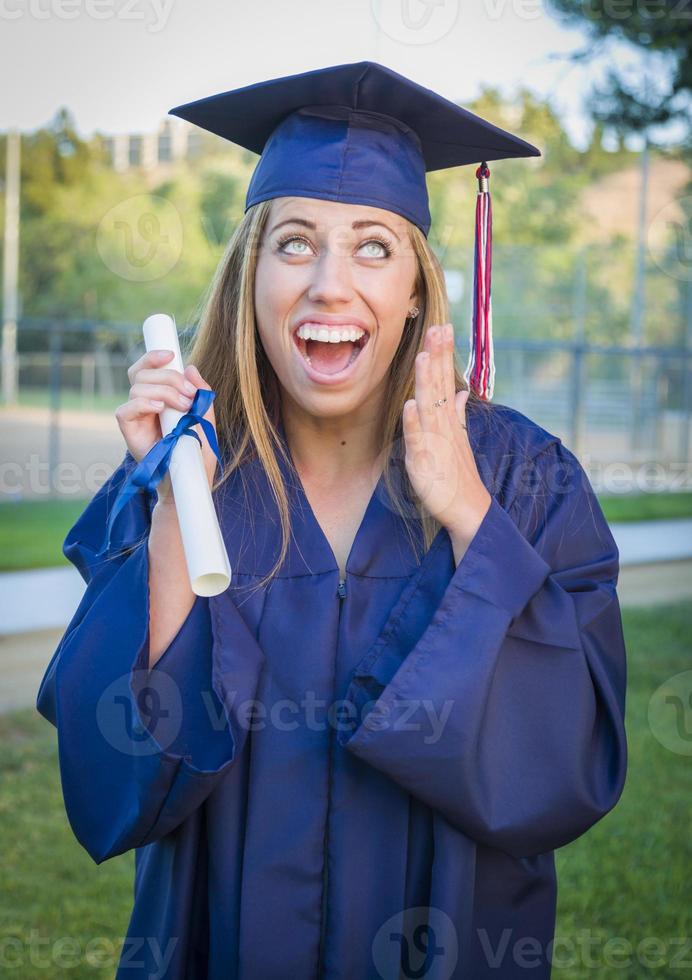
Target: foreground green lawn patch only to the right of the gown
629, 876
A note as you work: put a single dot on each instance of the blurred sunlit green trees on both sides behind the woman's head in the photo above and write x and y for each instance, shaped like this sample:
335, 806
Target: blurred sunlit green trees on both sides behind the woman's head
111, 247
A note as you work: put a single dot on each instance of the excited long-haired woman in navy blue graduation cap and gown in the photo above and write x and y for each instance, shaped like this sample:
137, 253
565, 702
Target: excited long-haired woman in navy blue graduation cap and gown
358, 760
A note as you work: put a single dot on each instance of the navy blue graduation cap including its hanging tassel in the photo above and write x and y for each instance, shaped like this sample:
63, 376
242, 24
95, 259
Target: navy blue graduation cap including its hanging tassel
364, 134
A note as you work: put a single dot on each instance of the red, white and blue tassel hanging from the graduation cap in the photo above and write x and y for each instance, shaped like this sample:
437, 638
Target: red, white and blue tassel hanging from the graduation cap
480, 370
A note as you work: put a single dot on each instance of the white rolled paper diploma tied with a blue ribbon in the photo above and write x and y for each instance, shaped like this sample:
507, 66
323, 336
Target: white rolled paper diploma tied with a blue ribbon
205, 551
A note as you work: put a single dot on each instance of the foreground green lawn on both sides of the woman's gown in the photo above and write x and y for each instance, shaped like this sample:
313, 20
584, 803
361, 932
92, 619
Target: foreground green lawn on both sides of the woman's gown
628, 878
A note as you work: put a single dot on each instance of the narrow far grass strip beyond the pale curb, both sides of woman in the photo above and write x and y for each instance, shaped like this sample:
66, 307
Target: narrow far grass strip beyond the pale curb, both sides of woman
32, 532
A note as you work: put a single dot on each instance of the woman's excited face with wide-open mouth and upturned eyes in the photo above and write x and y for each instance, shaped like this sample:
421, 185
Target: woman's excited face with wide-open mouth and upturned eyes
334, 284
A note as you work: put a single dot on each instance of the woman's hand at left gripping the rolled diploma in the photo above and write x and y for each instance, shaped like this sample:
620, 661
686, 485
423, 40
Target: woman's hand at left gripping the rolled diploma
153, 386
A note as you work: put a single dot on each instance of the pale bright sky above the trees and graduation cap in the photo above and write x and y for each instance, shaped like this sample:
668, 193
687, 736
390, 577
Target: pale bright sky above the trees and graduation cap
120, 65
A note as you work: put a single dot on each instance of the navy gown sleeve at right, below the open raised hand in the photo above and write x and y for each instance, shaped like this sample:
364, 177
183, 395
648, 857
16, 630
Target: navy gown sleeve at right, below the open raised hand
505, 711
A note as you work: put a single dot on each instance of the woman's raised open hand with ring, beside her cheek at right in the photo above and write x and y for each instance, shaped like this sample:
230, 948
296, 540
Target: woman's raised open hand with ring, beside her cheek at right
439, 459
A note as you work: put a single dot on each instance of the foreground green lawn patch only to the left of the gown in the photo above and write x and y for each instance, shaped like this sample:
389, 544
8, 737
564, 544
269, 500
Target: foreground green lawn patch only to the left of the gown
50, 889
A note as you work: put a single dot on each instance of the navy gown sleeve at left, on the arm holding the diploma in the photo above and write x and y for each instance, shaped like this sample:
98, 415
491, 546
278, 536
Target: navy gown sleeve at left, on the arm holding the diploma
139, 749
